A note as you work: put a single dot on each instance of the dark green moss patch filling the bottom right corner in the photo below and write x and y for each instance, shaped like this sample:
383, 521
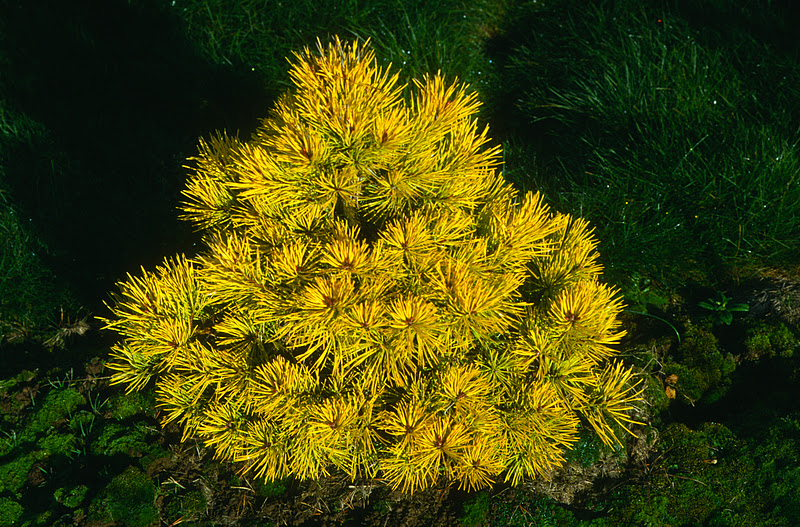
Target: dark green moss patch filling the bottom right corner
708, 476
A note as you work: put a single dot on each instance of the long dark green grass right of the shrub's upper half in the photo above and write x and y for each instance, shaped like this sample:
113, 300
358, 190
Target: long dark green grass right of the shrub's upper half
680, 156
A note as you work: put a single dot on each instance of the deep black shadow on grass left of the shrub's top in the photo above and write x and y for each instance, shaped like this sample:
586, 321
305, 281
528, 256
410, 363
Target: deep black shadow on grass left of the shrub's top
123, 97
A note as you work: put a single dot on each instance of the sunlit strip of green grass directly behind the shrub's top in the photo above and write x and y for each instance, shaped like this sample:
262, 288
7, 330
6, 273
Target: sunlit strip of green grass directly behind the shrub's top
419, 37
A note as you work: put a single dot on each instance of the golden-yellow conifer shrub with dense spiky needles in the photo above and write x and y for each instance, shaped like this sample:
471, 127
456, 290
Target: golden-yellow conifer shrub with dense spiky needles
374, 299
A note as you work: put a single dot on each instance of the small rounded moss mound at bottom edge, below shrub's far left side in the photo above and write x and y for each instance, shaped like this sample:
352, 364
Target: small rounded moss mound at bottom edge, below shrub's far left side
130, 499
